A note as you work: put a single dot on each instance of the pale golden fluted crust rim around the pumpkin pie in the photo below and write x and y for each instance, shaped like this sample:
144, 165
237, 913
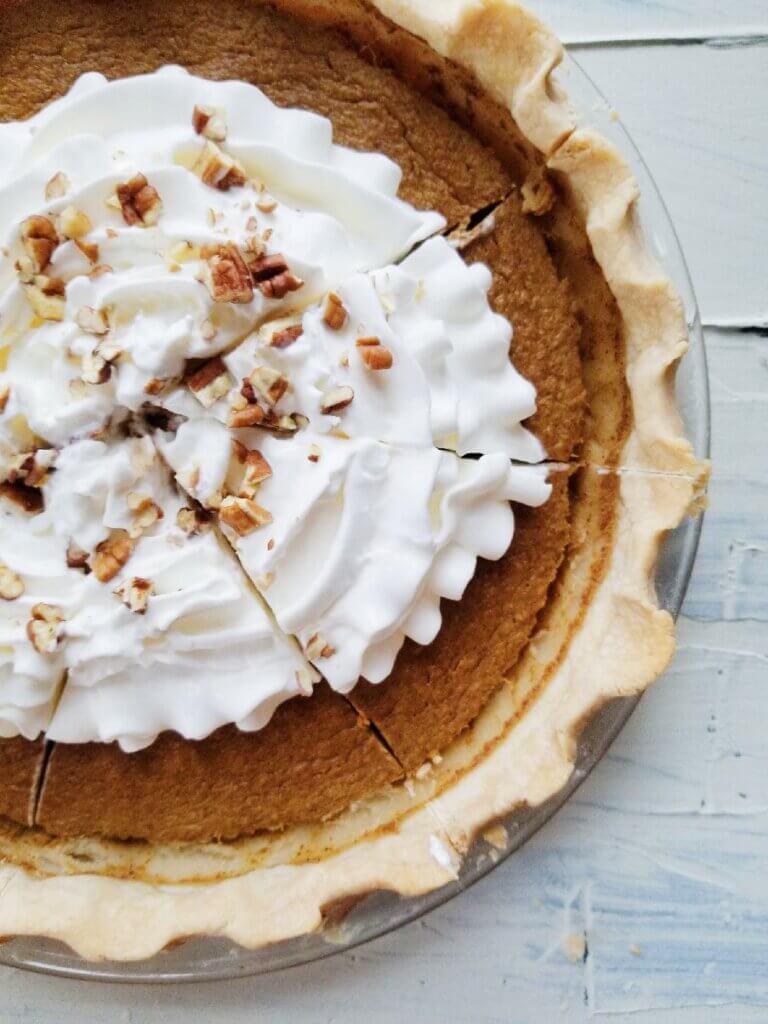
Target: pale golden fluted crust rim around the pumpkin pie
661, 482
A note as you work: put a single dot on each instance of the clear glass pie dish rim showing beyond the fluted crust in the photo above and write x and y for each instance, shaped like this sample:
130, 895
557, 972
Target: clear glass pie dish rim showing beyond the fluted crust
379, 914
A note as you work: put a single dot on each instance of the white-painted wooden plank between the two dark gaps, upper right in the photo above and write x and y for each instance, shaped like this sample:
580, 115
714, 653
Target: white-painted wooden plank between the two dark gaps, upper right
700, 118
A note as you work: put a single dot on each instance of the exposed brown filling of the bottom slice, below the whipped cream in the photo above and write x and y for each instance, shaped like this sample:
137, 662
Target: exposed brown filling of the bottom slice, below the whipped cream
316, 758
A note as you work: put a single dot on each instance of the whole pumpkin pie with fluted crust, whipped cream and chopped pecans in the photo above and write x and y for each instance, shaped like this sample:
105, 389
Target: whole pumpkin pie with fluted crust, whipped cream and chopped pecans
357, 579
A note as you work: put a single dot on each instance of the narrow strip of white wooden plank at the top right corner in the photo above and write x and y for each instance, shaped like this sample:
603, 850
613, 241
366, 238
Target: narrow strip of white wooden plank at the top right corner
602, 21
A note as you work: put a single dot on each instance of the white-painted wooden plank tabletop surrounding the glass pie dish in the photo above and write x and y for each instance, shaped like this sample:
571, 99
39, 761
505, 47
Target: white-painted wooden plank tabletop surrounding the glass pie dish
661, 862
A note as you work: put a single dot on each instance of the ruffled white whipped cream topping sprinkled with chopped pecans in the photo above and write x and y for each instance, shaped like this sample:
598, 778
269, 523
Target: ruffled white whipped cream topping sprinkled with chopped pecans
300, 353
